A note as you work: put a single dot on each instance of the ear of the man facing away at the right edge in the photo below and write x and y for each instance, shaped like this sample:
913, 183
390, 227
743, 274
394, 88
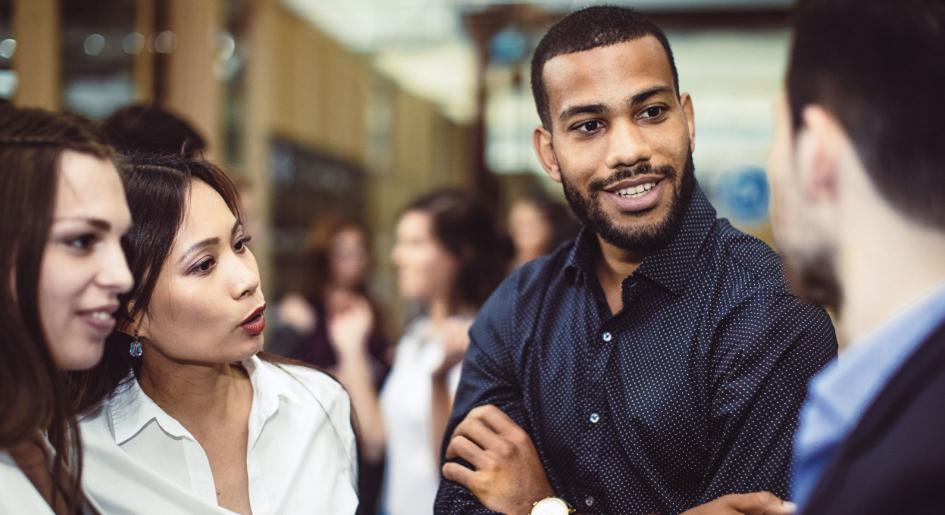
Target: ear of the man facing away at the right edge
820, 146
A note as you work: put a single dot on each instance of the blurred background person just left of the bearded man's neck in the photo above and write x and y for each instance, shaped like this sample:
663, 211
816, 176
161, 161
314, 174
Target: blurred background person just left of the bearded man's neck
537, 226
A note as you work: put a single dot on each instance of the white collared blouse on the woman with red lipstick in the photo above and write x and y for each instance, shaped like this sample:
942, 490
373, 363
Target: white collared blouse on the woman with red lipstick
301, 454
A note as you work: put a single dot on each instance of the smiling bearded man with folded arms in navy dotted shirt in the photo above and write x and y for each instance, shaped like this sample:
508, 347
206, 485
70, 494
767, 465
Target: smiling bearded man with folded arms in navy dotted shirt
658, 363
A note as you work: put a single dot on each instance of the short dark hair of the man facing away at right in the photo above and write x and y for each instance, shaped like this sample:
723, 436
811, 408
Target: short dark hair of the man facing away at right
879, 67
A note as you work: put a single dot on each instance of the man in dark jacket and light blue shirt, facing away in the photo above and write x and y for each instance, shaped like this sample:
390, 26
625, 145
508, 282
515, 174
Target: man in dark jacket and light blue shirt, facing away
858, 175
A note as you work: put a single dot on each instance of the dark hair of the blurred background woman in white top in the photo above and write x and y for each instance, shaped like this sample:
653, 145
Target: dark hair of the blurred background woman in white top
468, 230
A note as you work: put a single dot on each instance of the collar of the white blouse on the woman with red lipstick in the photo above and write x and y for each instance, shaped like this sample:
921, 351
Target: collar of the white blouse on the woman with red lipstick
130, 409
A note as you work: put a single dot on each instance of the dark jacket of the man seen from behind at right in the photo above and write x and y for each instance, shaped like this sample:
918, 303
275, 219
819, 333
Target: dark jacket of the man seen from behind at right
894, 460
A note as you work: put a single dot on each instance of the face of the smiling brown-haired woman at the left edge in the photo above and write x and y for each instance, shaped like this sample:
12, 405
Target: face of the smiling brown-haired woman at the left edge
83, 265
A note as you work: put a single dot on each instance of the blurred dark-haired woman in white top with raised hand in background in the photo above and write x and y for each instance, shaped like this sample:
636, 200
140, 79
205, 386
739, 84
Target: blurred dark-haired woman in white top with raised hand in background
449, 257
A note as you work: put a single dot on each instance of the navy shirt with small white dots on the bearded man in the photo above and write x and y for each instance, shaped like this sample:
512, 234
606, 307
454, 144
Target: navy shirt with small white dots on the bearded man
690, 392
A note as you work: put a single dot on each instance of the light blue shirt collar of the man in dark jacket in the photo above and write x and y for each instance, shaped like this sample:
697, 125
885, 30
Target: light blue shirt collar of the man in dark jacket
842, 392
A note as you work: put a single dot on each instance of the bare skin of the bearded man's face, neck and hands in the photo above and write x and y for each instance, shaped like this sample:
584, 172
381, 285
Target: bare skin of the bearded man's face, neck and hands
637, 121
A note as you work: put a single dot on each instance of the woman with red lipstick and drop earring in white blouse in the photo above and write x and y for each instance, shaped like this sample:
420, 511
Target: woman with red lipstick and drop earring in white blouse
185, 414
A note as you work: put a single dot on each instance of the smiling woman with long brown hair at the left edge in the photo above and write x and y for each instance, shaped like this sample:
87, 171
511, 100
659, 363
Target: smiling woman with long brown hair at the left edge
62, 215
